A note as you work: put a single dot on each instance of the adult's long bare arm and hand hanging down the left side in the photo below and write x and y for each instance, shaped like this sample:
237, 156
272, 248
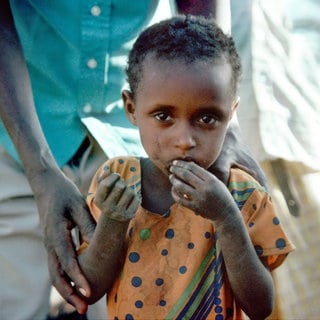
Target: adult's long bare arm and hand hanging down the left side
59, 202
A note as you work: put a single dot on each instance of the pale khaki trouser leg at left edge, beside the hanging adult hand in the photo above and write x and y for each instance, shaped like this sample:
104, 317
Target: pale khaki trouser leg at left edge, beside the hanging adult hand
24, 278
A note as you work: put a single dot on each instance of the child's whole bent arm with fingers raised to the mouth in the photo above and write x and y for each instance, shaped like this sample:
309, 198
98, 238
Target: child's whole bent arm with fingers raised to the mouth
199, 190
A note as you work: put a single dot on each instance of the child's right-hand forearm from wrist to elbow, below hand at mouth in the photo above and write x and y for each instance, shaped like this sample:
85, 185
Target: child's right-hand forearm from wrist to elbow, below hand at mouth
251, 282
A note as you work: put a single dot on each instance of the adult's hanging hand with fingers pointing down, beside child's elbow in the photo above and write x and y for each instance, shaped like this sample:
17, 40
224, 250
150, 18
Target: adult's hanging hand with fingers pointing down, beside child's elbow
61, 208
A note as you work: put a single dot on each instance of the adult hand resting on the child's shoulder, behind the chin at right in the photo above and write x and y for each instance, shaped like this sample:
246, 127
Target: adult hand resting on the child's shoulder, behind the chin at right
235, 153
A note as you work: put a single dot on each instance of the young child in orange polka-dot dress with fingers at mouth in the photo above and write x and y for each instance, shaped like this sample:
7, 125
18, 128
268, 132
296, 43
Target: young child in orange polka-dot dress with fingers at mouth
172, 241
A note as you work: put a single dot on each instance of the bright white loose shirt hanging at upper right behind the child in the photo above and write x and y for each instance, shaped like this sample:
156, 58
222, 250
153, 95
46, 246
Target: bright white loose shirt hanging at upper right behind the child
279, 43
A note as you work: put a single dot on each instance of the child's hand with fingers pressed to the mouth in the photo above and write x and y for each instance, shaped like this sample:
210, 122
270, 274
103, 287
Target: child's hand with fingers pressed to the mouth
199, 190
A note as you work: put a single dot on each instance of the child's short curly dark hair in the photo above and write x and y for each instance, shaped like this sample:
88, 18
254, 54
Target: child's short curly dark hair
186, 38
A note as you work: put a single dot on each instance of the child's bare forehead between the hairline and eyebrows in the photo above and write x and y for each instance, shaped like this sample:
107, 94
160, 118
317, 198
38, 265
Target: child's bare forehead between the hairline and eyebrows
175, 75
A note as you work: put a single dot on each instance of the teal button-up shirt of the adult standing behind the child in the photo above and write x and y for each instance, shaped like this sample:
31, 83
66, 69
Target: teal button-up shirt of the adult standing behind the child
76, 53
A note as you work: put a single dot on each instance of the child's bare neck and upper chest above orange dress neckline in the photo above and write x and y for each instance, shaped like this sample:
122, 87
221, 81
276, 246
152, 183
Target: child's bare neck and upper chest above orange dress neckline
156, 188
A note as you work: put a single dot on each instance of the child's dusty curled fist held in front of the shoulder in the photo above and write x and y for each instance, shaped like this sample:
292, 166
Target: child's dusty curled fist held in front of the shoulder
115, 199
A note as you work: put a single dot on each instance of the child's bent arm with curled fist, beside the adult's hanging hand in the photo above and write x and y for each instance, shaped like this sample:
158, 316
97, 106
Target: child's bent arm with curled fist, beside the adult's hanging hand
101, 261
